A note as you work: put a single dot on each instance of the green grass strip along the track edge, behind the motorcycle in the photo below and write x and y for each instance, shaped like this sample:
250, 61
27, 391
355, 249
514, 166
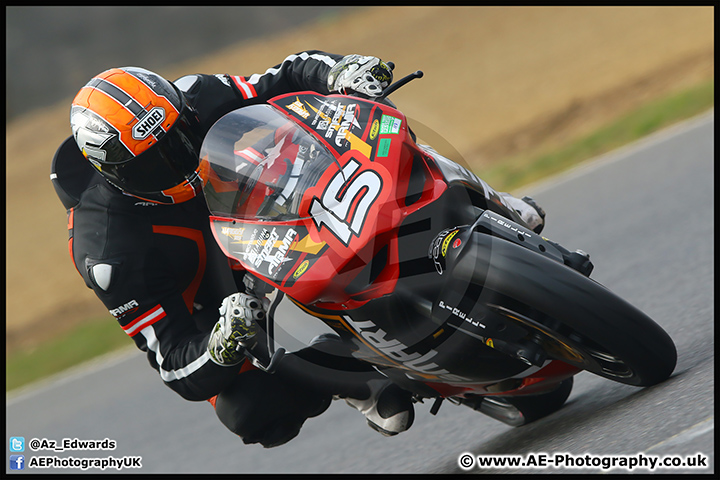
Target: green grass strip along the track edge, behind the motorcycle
99, 337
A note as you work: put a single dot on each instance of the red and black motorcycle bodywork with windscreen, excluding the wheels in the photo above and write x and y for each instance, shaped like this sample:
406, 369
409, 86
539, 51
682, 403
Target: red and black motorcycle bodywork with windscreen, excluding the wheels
364, 236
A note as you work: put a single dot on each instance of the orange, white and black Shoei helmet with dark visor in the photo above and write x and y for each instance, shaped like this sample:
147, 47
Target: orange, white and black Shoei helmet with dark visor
140, 133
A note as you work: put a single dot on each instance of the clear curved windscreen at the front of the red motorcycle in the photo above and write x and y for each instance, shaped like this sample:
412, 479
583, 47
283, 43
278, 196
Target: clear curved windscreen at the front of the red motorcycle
256, 163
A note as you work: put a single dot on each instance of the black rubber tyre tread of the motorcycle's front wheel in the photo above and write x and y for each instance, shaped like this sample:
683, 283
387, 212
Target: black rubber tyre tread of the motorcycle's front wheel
567, 296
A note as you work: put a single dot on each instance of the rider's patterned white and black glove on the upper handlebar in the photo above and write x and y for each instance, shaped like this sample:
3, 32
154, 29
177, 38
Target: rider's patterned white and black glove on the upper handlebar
361, 74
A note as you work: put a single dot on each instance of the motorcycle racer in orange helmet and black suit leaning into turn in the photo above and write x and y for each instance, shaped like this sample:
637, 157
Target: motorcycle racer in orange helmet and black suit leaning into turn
140, 238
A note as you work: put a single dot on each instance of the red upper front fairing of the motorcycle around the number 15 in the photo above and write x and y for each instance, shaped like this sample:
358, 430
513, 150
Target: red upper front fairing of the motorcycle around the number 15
341, 219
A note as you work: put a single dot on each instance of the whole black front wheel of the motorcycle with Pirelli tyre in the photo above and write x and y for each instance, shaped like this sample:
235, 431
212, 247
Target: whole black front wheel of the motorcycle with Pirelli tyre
571, 317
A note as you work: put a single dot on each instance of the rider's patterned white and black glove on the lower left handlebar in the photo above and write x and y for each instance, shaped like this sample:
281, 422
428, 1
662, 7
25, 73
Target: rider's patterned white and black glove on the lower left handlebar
236, 328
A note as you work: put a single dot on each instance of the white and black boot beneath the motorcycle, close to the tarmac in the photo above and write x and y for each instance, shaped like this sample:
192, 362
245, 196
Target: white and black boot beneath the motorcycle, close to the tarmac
387, 407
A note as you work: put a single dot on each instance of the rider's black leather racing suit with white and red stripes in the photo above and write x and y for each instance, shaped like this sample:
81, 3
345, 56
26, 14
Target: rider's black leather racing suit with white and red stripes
159, 271
